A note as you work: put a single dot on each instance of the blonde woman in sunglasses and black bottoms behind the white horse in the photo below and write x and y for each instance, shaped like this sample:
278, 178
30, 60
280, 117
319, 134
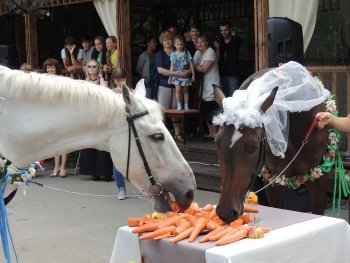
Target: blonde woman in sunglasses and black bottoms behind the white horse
92, 161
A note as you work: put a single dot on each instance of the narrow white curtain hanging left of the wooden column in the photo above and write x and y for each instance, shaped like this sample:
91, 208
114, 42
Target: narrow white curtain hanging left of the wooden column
106, 11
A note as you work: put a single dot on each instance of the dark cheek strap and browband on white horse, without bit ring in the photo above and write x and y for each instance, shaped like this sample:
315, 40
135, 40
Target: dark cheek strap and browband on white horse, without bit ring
130, 118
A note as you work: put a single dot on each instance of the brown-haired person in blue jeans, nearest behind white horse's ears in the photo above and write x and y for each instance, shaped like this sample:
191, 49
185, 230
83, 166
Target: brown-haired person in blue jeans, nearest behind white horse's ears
118, 77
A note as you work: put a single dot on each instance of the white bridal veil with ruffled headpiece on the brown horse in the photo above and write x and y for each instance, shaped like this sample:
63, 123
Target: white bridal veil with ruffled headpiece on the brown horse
297, 91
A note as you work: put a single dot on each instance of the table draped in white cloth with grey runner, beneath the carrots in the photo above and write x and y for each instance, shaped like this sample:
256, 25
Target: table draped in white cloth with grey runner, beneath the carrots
296, 237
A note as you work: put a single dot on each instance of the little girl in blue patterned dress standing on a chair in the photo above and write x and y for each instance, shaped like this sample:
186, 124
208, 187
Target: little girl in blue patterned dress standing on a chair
181, 60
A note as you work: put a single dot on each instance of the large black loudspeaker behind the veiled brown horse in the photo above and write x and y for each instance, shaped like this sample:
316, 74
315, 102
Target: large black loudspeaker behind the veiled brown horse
285, 38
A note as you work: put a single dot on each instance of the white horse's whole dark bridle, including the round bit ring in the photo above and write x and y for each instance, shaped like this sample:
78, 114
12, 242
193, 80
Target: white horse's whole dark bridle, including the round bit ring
156, 188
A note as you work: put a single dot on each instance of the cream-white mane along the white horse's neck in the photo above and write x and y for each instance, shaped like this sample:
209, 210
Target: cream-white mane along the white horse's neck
65, 91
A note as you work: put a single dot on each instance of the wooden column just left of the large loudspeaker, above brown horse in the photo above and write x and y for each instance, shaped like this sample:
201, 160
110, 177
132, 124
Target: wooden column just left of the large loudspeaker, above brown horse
261, 14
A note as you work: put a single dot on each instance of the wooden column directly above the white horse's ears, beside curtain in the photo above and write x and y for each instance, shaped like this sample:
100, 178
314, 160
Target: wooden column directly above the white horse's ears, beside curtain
123, 36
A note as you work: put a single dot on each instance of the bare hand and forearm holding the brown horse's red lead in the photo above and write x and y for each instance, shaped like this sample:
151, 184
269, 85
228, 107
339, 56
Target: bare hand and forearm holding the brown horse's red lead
340, 123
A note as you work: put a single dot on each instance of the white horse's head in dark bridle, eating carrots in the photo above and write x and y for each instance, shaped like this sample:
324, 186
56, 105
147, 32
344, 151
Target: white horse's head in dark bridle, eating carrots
156, 164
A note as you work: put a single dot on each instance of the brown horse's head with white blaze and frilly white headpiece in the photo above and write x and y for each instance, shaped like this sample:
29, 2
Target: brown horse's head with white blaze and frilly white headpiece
240, 142
